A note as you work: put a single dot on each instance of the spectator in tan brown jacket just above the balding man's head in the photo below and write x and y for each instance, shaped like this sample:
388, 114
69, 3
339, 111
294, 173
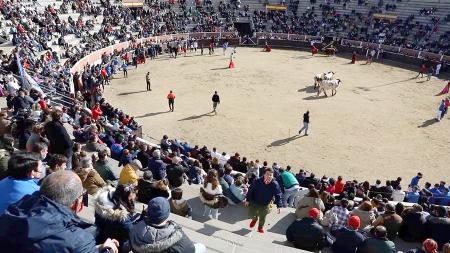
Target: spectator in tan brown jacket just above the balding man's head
90, 178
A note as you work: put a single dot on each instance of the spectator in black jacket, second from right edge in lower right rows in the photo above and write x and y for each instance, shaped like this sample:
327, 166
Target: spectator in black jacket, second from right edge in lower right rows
412, 228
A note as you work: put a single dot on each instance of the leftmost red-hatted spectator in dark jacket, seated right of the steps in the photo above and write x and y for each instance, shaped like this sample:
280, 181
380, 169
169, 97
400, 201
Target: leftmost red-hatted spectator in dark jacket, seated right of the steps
307, 233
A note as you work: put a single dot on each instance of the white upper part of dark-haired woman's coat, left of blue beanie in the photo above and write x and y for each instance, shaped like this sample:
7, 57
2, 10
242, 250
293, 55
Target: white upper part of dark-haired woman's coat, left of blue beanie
105, 208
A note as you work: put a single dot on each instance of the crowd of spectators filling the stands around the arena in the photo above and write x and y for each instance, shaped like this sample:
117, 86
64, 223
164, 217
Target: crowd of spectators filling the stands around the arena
53, 174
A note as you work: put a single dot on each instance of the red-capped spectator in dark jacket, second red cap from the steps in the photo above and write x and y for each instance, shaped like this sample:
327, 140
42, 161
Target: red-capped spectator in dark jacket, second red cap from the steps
348, 239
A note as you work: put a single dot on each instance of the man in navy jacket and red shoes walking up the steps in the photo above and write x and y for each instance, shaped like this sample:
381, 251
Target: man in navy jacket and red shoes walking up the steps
259, 197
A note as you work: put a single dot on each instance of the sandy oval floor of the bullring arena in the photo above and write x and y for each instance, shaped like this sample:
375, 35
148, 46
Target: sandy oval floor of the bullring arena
380, 125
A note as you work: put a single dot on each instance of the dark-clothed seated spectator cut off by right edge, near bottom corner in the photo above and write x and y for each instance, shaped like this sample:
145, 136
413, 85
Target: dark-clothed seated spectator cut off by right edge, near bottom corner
438, 226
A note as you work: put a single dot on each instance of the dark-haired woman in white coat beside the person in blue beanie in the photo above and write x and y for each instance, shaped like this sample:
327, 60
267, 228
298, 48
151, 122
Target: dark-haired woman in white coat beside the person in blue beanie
114, 214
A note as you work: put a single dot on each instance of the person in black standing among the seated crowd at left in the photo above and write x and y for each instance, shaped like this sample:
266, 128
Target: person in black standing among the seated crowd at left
60, 142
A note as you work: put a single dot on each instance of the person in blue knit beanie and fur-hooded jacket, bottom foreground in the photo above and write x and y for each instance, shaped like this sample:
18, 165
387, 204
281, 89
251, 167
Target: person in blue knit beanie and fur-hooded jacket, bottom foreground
156, 233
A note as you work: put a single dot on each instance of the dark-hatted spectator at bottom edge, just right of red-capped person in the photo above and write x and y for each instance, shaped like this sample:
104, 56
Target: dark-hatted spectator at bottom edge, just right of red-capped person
377, 244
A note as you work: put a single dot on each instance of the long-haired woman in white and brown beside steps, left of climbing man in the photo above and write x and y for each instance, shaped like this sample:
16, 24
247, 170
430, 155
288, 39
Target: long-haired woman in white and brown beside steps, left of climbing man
209, 195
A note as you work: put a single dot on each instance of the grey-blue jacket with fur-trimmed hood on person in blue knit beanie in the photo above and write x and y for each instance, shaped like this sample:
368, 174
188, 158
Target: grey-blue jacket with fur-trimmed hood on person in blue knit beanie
145, 238
